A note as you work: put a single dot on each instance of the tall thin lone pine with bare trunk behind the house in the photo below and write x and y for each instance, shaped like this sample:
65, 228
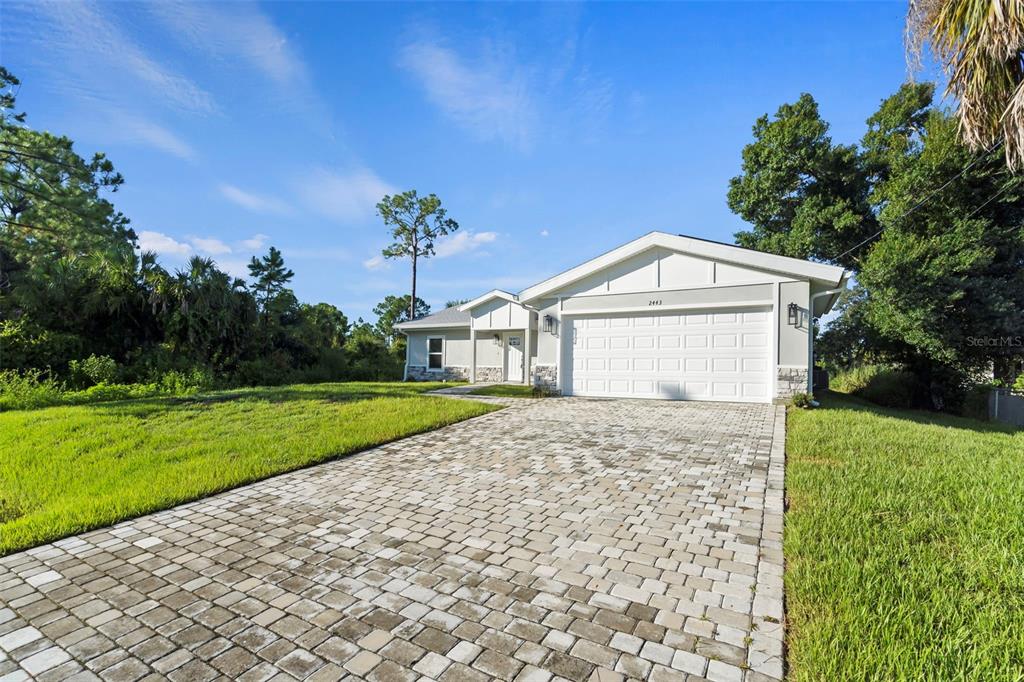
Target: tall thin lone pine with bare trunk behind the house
416, 224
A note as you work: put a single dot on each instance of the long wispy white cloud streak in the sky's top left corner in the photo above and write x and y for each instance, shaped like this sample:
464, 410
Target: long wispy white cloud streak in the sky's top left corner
94, 58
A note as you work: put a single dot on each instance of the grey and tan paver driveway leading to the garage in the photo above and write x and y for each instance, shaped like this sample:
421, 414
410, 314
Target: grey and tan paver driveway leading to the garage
560, 538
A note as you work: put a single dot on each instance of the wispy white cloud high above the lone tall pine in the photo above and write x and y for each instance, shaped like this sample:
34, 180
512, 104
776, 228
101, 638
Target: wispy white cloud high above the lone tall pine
490, 96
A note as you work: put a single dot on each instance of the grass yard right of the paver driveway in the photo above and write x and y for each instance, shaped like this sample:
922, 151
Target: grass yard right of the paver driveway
905, 546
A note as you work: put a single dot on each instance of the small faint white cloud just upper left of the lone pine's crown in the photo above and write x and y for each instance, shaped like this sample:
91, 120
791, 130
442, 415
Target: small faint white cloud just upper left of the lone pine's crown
344, 196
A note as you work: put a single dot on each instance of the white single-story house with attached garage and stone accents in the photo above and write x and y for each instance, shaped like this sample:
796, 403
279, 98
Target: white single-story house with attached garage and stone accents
662, 317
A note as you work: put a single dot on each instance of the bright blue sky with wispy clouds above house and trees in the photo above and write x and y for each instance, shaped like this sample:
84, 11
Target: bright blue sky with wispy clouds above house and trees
552, 133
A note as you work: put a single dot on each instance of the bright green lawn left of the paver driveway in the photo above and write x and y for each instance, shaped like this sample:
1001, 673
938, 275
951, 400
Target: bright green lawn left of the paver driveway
68, 470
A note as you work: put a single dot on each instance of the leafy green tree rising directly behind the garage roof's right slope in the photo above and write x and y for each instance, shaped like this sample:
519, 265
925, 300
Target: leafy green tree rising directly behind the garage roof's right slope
804, 196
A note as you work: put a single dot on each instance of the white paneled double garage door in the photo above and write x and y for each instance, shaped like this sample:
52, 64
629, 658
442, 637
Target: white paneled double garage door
701, 356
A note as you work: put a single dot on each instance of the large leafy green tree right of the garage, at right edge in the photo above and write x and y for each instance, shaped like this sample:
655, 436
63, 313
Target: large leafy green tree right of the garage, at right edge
951, 272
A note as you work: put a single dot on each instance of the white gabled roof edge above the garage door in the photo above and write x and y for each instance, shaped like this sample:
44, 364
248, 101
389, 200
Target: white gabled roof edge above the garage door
827, 275
